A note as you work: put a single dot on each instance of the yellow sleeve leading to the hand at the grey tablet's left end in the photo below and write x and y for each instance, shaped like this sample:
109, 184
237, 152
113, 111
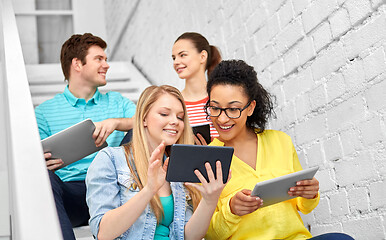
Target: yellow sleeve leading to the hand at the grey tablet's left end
224, 223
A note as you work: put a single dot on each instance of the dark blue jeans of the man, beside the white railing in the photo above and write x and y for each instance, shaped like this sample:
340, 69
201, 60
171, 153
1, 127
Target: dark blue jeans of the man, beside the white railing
70, 201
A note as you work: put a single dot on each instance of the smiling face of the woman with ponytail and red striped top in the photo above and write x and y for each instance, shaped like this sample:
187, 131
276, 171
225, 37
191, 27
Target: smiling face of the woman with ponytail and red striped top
187, 61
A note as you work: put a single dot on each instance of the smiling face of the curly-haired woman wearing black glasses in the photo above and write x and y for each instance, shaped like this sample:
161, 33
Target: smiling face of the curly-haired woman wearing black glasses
230, 96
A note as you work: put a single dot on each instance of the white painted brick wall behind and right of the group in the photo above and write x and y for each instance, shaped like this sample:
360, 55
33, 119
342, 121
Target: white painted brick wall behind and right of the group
325, 62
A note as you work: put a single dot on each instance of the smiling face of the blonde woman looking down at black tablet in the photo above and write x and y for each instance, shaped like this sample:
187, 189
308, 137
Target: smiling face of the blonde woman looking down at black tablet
164, 121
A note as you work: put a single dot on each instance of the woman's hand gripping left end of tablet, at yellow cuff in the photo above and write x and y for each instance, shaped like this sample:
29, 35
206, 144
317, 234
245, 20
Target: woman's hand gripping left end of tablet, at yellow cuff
243, 203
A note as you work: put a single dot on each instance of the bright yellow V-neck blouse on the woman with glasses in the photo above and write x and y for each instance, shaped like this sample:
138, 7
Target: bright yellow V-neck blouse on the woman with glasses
276, 156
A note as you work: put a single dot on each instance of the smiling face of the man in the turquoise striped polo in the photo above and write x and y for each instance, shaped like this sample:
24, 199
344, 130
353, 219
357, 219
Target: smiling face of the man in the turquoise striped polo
94, 71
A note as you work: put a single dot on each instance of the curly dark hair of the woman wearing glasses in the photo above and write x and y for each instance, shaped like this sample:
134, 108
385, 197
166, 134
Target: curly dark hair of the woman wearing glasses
238, 73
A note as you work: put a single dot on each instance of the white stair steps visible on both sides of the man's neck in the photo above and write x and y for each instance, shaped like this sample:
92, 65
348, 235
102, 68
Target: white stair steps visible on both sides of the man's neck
46, 80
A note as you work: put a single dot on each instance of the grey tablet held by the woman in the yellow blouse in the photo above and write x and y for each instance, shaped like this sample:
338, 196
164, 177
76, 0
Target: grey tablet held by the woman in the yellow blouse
276, 190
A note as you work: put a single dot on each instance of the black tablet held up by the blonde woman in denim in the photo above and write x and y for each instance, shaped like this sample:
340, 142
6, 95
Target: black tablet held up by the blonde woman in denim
184, 159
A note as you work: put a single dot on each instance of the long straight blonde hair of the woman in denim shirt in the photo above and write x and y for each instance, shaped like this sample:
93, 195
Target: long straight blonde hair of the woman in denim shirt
139, 144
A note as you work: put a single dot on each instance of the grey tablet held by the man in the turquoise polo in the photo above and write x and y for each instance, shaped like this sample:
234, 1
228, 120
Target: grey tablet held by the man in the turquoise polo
73, 143
